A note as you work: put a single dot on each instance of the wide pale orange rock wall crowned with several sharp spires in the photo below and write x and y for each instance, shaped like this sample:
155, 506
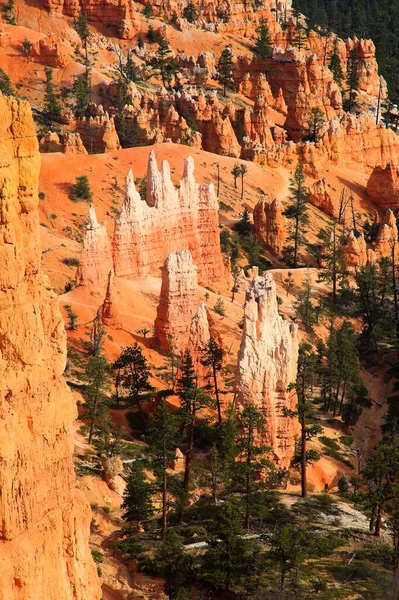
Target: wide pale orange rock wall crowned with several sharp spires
170, 219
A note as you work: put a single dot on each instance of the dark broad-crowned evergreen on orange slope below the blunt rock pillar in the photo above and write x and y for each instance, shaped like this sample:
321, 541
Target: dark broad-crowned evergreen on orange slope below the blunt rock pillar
134, 374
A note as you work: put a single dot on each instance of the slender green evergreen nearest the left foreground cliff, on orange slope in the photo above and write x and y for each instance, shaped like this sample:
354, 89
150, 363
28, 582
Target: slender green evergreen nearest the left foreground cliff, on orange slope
97, 385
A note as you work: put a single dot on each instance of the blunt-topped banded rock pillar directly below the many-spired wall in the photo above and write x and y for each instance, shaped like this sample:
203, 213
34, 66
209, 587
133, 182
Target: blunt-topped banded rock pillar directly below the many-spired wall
178, 301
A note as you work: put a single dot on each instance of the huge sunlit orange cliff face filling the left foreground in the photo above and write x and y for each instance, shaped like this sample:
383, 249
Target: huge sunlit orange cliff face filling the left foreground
44, 524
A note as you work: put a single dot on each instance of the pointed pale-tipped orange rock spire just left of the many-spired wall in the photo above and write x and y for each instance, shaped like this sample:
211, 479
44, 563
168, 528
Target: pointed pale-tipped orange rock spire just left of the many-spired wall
96, 257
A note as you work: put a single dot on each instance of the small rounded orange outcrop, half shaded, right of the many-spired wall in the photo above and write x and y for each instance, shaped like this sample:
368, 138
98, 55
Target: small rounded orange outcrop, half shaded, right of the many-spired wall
270, 224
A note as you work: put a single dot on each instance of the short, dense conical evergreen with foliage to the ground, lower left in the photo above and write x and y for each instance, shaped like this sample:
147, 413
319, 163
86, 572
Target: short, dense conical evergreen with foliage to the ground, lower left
137, 498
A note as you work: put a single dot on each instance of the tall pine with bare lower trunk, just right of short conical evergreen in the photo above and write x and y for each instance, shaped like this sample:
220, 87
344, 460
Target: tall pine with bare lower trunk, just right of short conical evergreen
162, 442
